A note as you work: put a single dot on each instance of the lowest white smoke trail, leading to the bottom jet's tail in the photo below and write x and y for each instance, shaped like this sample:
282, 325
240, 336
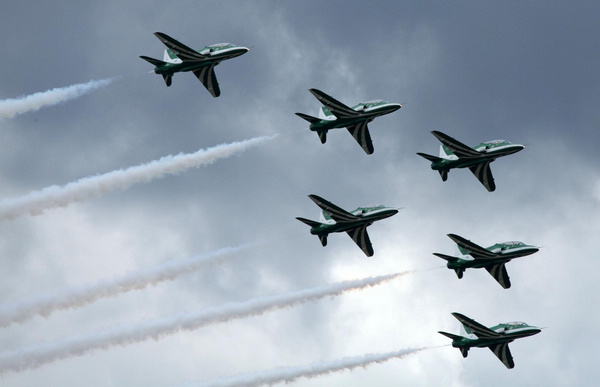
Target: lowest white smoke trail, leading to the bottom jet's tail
289, 374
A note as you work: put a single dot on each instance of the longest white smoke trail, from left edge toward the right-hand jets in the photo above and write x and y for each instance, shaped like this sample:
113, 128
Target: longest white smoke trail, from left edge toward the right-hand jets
36, 356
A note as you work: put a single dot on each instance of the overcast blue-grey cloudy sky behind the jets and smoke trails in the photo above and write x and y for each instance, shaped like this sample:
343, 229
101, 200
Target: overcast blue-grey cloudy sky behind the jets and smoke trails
526, 72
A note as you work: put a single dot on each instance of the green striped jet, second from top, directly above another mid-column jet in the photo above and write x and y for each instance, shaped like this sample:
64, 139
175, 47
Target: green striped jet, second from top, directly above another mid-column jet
335, 114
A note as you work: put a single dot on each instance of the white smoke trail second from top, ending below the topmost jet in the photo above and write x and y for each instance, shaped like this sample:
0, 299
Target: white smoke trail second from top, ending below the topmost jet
37, 202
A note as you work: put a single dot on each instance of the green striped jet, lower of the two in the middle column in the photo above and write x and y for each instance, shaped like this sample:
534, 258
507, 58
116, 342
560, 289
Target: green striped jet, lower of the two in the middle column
355, 223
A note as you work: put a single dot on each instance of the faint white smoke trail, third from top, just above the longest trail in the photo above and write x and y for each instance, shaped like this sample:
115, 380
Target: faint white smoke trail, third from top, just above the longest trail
77, 297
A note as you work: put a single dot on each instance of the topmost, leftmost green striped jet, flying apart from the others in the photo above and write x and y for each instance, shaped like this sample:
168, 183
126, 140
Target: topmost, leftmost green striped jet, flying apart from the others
179, 58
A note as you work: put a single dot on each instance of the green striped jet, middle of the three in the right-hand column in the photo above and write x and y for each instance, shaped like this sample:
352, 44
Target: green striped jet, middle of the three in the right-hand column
491, 258
